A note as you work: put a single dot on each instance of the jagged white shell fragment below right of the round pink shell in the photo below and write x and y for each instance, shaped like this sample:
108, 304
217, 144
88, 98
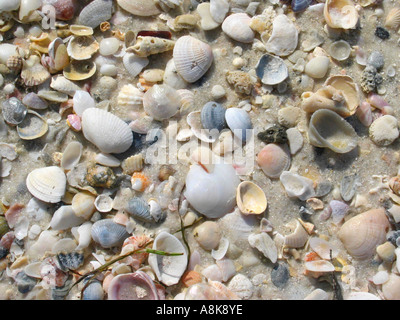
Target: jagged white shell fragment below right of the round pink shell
297, 186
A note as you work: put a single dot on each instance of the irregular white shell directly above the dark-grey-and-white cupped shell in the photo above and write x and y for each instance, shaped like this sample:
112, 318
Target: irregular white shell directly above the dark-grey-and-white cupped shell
284, 37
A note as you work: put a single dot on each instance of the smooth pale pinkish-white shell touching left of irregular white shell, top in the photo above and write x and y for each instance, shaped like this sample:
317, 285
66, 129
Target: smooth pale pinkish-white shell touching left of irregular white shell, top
236, 26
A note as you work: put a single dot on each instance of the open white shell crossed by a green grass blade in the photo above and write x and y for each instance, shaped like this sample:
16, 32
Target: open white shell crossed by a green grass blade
168, 269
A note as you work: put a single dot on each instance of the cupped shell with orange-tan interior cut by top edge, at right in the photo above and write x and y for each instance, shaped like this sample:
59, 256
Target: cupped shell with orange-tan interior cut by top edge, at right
340, 14
